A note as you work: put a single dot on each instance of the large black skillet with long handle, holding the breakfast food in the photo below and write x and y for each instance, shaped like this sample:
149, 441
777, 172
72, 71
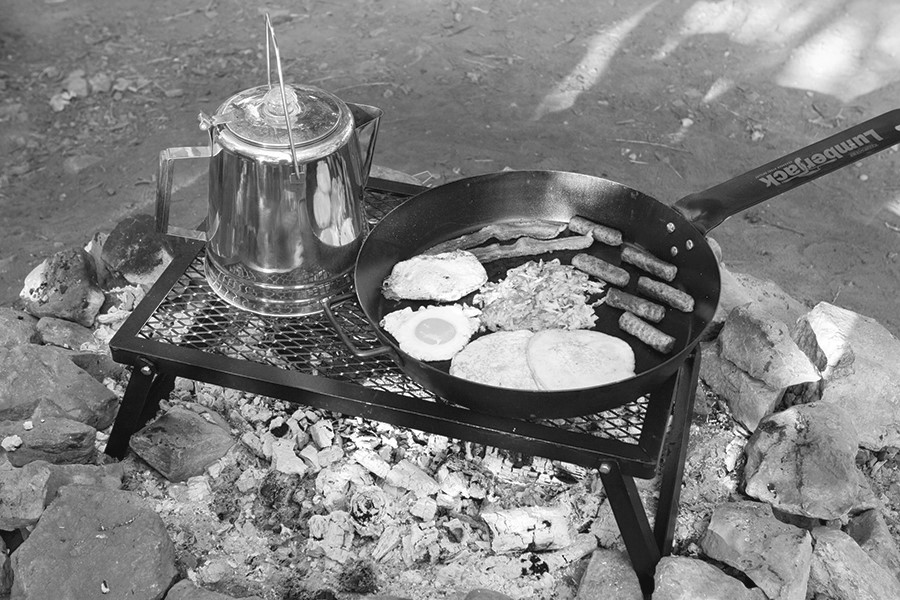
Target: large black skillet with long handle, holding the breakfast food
675, 233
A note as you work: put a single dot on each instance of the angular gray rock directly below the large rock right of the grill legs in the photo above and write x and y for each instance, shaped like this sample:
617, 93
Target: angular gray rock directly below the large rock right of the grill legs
774, 555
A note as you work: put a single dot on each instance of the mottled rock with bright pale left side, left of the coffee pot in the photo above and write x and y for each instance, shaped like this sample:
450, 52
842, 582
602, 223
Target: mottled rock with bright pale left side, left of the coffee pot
64, 286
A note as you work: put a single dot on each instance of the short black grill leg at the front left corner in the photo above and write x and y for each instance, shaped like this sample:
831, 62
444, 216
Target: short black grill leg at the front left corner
146, 387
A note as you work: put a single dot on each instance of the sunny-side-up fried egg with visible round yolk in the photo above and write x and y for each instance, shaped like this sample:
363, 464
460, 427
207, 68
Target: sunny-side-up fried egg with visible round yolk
433, 333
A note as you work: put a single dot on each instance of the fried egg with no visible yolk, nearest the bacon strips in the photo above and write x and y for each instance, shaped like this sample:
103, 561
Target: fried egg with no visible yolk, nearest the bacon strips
444, 277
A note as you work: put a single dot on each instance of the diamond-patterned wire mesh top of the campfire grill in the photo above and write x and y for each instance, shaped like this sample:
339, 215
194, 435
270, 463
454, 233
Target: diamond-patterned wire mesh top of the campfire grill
193, 316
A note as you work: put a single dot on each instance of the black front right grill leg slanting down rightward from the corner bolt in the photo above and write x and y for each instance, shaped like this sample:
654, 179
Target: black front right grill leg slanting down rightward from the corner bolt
631, 518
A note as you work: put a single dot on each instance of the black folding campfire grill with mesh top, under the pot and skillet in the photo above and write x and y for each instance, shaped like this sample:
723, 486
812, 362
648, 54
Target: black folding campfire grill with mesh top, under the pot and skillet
183, 329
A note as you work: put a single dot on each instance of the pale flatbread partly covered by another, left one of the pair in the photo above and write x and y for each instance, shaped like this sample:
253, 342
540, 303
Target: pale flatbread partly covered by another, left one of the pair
496, 359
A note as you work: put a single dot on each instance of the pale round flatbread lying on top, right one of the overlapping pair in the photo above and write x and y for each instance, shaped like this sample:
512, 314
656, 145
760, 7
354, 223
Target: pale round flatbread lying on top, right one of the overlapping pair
562, 359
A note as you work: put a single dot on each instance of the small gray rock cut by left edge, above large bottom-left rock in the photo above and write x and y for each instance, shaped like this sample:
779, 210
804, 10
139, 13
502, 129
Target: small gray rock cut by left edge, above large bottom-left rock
24, 493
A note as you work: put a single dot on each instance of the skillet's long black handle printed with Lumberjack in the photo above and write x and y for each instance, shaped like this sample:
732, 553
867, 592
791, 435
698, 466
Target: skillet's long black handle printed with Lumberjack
709, 208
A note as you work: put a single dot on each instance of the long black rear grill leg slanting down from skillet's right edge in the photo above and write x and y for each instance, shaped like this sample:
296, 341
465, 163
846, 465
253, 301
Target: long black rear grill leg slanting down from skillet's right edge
673, 467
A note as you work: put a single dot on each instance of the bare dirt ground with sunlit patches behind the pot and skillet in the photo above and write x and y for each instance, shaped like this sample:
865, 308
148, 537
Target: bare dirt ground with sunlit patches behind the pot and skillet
669, 97
